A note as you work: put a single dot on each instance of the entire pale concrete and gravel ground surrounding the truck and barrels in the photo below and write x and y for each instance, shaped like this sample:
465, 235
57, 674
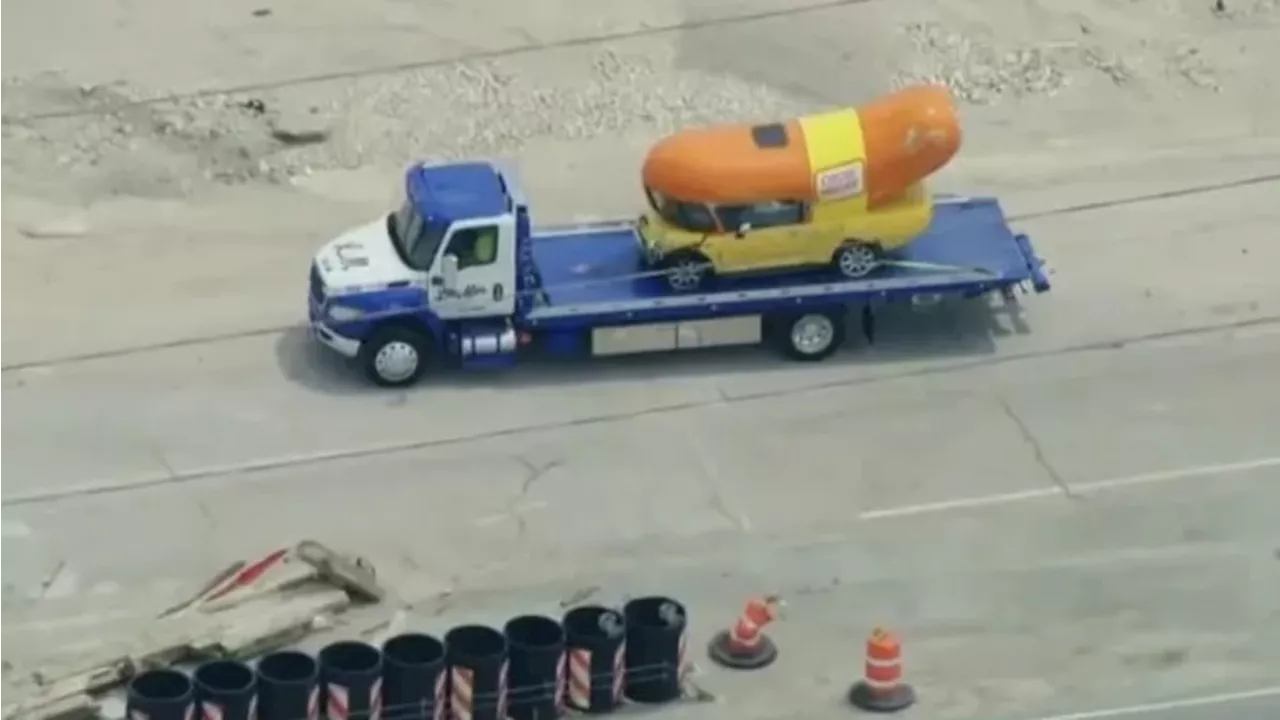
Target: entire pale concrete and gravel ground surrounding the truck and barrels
156, 231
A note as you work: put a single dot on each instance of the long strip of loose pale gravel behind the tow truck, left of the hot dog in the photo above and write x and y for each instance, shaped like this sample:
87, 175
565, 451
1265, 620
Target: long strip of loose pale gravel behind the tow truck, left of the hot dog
476, 110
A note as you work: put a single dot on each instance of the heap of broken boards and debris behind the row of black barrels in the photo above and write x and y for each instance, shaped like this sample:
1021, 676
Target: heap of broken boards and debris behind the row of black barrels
246, 610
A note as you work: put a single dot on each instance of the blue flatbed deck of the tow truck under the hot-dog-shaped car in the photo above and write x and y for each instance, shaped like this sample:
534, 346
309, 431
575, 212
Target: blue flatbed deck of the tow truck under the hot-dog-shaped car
600, 272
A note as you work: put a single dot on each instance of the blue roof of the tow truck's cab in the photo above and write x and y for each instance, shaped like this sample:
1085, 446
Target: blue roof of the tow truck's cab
458, 192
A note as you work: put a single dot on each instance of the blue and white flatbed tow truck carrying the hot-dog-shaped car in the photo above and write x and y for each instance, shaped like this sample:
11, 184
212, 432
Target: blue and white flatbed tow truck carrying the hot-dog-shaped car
412, 291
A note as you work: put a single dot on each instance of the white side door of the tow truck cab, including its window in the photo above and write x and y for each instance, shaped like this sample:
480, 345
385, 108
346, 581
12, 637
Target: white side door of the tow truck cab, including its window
476, 274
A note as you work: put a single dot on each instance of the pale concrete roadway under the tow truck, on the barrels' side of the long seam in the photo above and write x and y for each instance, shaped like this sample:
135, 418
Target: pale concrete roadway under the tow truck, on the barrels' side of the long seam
1055, 520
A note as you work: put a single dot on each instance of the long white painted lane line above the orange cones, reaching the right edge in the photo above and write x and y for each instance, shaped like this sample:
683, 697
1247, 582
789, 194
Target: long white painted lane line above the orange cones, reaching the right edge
1078, 489
